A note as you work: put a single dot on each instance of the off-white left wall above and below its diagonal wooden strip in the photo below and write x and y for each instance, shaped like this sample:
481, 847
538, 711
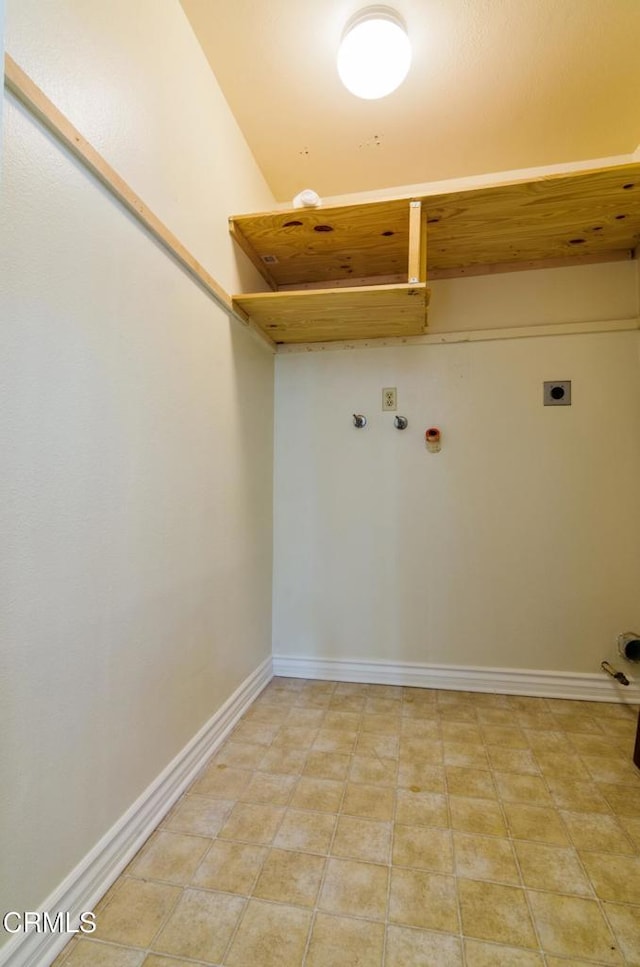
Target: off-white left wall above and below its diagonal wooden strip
135, 432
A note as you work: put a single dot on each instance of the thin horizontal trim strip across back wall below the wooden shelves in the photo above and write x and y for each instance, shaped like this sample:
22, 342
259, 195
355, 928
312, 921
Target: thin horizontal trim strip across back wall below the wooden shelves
466, 335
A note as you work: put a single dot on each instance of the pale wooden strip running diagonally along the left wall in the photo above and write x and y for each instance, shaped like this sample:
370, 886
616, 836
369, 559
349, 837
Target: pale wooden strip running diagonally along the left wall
28, 93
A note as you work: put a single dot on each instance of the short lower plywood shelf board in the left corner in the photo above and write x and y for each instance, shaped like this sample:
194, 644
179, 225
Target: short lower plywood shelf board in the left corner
346, 313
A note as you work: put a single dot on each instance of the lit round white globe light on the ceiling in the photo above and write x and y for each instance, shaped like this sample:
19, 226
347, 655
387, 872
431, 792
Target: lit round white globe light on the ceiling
375, 53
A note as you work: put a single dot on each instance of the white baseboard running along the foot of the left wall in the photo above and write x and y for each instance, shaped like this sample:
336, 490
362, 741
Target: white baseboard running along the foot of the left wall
90, 880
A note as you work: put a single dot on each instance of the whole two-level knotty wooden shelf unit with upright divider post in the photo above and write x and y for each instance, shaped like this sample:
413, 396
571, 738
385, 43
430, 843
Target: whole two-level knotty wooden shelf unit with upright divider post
345, 272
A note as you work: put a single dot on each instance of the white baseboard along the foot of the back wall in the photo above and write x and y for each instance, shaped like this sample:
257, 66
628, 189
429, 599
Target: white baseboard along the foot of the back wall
506, 681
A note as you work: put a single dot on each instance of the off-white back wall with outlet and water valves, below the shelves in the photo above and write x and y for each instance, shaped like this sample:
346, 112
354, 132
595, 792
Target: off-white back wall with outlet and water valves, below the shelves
517, 546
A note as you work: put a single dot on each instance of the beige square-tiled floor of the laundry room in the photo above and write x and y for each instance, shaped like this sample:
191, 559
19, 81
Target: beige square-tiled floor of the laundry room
370, 825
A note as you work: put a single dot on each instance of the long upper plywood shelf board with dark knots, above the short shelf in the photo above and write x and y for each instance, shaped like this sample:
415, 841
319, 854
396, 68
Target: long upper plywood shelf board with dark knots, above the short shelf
589, 213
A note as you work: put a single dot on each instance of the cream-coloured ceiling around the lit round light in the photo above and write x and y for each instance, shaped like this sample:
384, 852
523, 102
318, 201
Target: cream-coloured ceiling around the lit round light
495, 85
